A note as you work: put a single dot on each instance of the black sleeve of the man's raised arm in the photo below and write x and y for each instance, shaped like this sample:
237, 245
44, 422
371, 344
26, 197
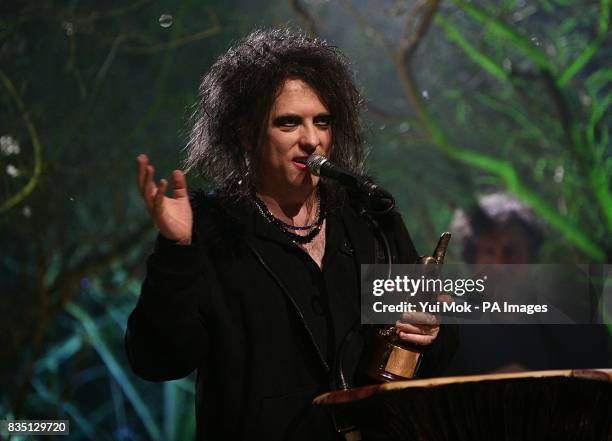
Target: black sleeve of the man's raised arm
166, 335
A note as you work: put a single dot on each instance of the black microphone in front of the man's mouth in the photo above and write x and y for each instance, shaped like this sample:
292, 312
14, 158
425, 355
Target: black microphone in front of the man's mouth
321, 166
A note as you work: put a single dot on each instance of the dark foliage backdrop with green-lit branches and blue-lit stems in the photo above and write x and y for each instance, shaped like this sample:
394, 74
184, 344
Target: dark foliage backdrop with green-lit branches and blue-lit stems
462, 98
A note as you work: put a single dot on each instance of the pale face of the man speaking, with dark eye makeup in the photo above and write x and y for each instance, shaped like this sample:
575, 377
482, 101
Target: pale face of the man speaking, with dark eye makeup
298, 126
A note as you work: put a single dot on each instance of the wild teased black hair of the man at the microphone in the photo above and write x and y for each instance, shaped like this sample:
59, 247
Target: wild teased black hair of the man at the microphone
238, 92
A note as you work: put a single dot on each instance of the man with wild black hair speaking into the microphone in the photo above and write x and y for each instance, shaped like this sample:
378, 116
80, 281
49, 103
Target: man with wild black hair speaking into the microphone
256, 284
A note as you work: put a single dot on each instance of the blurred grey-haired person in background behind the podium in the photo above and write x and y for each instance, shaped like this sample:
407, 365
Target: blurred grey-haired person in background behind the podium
502, 230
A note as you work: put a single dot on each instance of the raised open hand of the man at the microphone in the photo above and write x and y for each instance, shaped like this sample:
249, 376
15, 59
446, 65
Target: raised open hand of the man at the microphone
172, 215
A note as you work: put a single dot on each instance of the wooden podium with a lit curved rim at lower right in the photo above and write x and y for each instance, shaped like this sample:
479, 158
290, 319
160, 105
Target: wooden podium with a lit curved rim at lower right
573, 405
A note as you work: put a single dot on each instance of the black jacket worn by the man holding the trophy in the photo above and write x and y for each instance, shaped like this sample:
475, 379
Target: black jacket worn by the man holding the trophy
224, 306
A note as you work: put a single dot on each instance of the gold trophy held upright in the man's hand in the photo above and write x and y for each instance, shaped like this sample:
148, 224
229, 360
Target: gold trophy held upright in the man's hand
392, 358
